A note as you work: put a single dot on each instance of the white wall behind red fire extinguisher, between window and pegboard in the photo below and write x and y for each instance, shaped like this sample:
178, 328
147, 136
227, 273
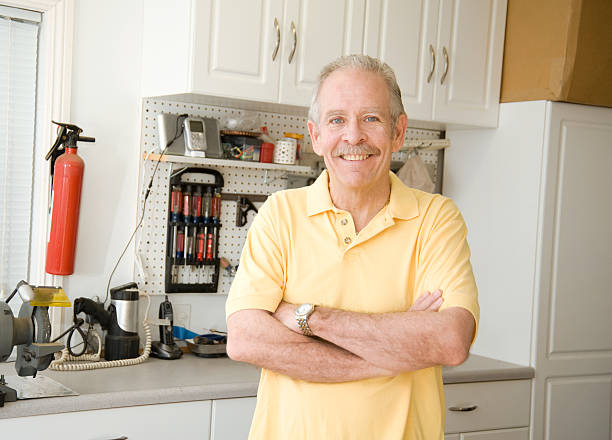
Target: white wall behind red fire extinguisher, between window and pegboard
106, 104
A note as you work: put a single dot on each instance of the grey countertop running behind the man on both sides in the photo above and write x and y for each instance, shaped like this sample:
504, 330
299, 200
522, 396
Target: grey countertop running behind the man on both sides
192, 378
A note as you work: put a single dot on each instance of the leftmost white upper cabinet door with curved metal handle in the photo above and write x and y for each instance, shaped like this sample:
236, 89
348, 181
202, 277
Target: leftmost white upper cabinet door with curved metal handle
236, 48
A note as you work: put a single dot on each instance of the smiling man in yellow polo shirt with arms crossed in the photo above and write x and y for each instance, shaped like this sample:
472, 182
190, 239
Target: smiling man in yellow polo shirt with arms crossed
326, 299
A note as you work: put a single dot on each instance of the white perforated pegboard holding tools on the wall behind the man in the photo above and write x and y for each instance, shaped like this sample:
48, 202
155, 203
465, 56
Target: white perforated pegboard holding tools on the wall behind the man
151, 238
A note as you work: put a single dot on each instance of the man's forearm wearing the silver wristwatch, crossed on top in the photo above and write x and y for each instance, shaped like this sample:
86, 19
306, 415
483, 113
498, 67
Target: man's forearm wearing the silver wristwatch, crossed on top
402, 341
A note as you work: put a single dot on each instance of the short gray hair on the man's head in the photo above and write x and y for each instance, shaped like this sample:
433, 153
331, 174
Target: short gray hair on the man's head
364, 63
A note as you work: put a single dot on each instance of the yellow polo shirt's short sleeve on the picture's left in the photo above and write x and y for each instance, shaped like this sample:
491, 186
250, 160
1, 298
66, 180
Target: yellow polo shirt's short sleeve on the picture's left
260, 280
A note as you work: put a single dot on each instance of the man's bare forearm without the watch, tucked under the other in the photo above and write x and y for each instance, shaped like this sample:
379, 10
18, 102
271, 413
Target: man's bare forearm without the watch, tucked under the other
254, 336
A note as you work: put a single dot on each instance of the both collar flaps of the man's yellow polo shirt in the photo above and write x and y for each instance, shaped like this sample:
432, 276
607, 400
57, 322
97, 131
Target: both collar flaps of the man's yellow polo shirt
402, 202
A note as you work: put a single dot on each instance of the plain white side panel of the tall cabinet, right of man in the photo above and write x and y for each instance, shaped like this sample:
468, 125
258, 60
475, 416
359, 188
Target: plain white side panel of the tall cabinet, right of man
494, 177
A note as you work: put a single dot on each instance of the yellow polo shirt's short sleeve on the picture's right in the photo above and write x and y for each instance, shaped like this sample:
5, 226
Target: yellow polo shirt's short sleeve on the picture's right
444, 261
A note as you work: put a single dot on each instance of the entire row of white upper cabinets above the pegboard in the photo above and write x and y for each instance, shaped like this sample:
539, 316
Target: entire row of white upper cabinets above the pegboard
447, 53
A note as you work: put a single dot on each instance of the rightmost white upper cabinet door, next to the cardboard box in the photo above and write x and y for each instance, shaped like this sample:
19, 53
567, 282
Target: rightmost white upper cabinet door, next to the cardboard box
470, 48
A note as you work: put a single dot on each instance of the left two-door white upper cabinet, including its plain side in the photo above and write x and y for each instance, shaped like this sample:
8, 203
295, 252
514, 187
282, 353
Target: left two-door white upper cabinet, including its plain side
265, 50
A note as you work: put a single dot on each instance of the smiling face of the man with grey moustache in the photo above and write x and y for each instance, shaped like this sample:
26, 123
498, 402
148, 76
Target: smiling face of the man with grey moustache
355, 134
